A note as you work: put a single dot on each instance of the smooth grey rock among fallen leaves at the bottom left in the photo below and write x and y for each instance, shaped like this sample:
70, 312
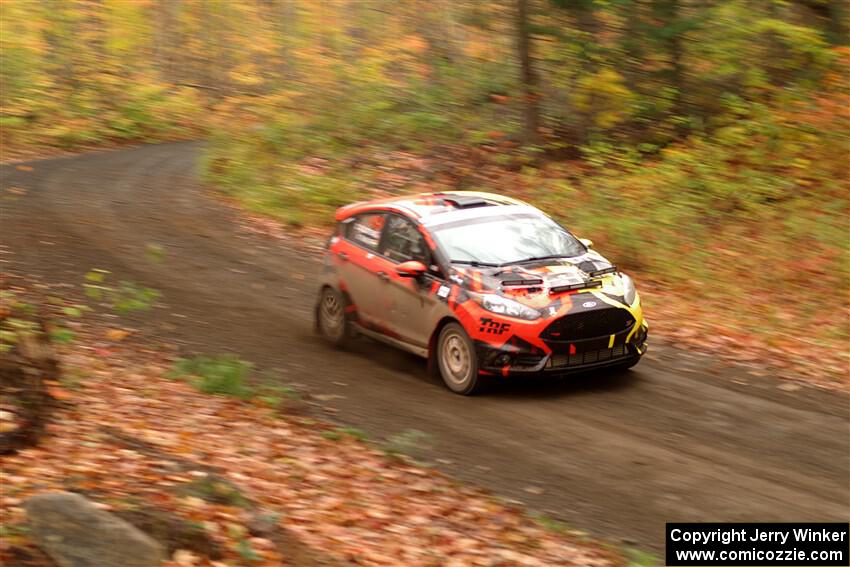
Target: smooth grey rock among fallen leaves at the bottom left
75, 533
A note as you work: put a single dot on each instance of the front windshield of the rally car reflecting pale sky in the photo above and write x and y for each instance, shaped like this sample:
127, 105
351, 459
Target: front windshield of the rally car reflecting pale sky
506, 239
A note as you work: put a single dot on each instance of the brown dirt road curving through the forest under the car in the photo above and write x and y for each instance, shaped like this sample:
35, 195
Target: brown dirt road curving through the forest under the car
674, 440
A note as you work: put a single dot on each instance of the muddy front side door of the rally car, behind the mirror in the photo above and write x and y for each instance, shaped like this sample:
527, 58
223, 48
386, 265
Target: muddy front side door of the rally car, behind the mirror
407, 302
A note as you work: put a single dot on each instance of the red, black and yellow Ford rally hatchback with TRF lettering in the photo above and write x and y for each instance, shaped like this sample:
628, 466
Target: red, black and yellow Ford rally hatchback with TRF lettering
480, 285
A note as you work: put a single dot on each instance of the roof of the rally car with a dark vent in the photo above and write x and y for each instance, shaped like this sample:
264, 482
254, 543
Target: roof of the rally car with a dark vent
426, 206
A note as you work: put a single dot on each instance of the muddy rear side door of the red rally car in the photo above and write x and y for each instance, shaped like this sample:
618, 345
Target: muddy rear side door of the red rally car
358, 262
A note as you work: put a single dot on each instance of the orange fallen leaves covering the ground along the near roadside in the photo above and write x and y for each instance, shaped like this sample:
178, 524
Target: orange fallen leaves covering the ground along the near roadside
129, 437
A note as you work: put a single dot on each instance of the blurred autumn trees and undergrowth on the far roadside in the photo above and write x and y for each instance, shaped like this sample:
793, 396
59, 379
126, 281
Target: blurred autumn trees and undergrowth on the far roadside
701, 146
